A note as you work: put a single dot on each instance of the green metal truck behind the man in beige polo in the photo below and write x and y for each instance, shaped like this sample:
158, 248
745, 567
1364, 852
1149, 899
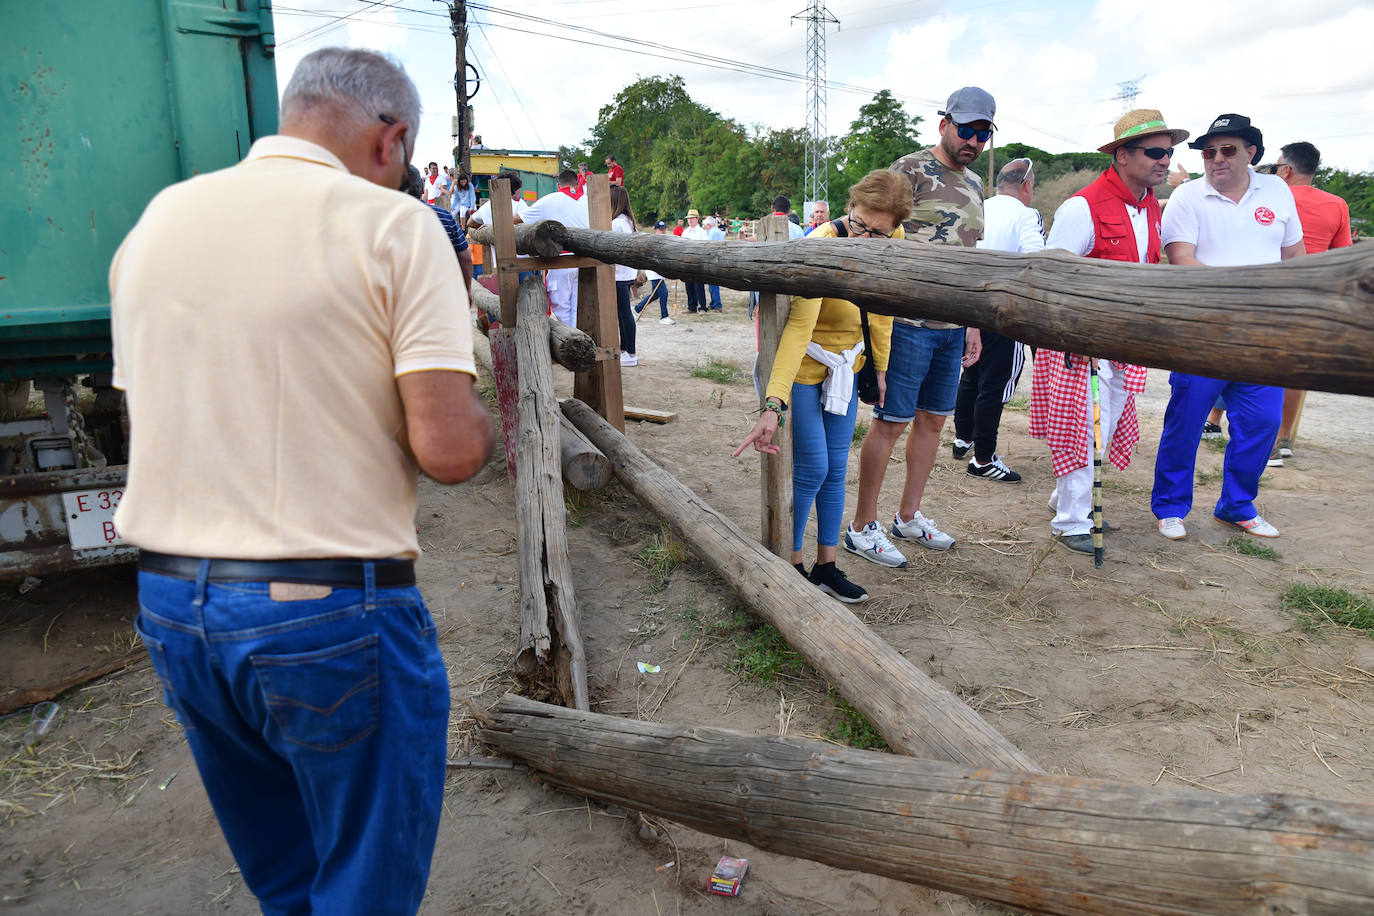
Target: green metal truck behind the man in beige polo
105, 105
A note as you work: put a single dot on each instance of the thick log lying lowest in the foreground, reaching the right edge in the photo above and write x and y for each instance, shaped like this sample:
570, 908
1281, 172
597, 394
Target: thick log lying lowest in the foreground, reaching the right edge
1046, 844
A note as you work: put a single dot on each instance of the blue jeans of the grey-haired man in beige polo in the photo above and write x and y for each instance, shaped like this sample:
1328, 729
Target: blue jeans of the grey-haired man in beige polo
319, 729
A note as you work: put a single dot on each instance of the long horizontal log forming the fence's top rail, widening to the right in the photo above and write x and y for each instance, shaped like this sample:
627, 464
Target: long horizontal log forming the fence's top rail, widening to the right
1307, 323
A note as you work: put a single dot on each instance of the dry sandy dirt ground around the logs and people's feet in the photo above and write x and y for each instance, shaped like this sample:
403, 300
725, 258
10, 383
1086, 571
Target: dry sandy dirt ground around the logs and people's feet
1174, 665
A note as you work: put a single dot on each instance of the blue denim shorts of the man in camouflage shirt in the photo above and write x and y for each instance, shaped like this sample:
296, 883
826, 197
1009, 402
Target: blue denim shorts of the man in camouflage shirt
923, 373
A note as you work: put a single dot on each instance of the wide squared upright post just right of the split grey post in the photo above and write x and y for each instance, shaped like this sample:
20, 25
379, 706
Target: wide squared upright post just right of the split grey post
597, 318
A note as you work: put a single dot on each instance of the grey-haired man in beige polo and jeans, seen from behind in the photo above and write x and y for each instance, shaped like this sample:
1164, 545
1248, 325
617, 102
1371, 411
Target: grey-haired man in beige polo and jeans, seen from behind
295, 343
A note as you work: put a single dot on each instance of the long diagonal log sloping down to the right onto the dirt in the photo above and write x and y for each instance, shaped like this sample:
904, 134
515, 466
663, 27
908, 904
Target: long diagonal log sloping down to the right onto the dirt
916, 715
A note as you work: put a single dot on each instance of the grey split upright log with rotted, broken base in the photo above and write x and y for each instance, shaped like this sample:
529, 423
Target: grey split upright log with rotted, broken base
550, 650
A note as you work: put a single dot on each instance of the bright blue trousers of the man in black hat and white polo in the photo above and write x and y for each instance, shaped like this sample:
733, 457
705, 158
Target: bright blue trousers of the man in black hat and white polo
1254, 413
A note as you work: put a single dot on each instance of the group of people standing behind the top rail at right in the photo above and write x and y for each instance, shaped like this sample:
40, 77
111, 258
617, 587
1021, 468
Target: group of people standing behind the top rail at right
1082, 406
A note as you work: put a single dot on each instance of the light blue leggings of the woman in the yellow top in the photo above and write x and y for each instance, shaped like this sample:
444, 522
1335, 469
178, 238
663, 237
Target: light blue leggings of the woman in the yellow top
820, 463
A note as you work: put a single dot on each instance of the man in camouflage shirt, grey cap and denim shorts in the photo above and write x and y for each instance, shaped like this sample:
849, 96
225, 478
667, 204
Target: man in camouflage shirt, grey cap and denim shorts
923, 378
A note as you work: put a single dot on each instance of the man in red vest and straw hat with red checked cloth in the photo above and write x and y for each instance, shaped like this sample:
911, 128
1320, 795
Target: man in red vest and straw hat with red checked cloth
1116, 219
